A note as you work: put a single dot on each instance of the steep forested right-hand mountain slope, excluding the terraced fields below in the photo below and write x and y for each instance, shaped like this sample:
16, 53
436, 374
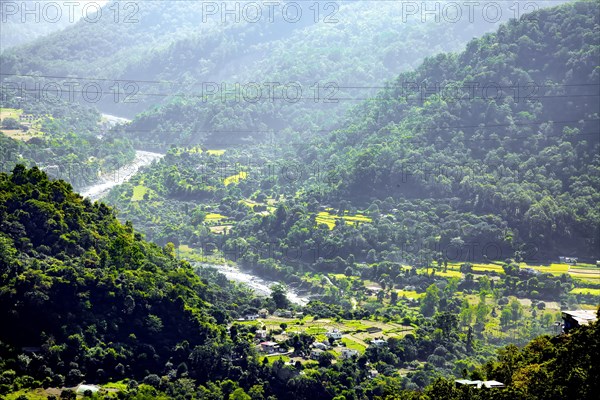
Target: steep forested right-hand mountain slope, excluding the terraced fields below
529, 158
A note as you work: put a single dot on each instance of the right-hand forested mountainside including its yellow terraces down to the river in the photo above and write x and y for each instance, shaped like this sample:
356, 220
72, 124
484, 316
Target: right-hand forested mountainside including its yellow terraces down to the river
434, 177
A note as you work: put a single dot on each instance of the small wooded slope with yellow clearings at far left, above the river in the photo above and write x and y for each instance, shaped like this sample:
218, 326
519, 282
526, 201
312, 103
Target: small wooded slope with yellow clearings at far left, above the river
70, 141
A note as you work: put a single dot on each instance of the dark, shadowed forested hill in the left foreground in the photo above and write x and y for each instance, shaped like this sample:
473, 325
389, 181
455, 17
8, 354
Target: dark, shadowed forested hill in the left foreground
91, 297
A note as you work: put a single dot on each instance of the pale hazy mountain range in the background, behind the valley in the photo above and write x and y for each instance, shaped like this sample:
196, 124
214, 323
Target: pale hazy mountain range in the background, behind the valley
174, 53
